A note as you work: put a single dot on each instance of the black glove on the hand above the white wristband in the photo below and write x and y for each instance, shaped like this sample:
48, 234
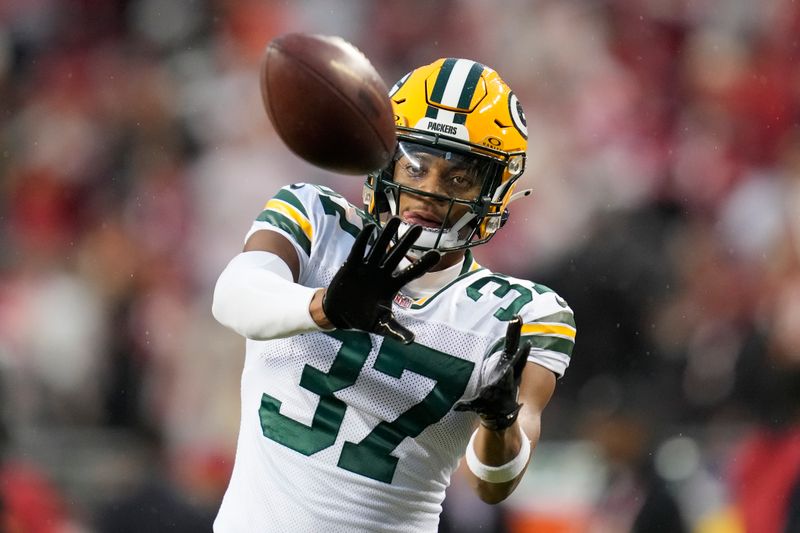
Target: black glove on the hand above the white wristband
496, 400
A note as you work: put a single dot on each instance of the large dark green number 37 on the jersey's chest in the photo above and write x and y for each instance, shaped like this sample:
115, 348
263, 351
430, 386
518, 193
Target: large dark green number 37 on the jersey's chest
372, 456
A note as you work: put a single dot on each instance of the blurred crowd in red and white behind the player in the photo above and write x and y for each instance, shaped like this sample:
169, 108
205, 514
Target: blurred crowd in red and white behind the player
664, 156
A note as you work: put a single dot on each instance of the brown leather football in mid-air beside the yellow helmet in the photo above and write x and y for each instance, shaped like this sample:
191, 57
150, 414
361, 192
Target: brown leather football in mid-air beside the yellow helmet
328, 103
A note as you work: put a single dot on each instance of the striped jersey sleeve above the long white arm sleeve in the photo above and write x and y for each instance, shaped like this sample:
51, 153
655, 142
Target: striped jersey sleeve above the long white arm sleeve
290, 213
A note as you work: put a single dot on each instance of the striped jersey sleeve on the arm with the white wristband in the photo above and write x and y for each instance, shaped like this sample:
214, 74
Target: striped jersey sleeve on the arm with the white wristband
549, 327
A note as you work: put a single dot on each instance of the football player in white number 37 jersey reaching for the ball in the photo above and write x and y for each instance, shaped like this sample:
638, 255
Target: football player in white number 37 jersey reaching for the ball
379, 352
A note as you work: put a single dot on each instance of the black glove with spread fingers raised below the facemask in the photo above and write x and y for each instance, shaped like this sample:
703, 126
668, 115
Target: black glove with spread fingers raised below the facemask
361, 293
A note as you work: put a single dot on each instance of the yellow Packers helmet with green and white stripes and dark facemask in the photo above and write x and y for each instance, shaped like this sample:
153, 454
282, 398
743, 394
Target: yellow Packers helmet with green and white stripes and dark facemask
456, 108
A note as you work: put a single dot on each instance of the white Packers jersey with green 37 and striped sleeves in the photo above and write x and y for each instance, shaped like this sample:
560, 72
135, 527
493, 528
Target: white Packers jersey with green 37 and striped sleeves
346, 431
